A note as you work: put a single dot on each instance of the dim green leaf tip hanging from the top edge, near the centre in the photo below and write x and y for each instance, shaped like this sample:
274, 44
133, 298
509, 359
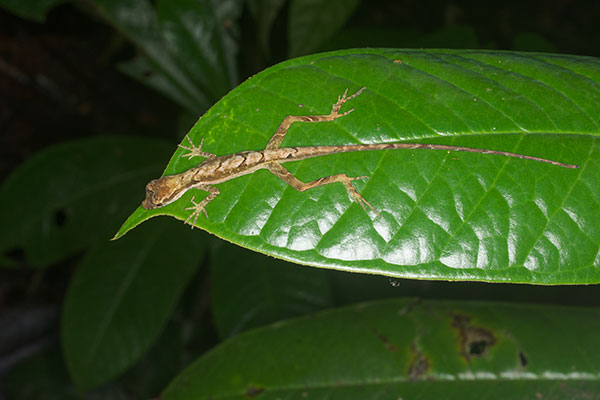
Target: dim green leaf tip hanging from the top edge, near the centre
314, 22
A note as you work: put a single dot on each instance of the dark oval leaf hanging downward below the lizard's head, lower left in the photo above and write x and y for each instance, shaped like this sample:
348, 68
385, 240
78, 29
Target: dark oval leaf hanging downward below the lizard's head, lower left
121, 296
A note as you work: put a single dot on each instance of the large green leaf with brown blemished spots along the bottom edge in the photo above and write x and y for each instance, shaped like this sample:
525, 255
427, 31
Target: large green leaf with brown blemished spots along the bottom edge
407, 349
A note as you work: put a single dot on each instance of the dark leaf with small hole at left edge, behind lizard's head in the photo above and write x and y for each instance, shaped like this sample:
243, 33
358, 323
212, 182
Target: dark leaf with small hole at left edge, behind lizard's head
68, 196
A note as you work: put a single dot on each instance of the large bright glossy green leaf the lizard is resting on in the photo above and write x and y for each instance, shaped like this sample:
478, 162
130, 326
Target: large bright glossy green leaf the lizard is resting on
444, 215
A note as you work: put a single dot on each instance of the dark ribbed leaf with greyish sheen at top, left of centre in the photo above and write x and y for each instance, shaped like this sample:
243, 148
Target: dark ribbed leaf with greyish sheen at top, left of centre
189, 46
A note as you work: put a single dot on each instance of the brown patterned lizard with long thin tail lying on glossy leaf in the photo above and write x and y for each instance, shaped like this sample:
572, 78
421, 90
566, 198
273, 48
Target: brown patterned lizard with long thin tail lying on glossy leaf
218, 169
